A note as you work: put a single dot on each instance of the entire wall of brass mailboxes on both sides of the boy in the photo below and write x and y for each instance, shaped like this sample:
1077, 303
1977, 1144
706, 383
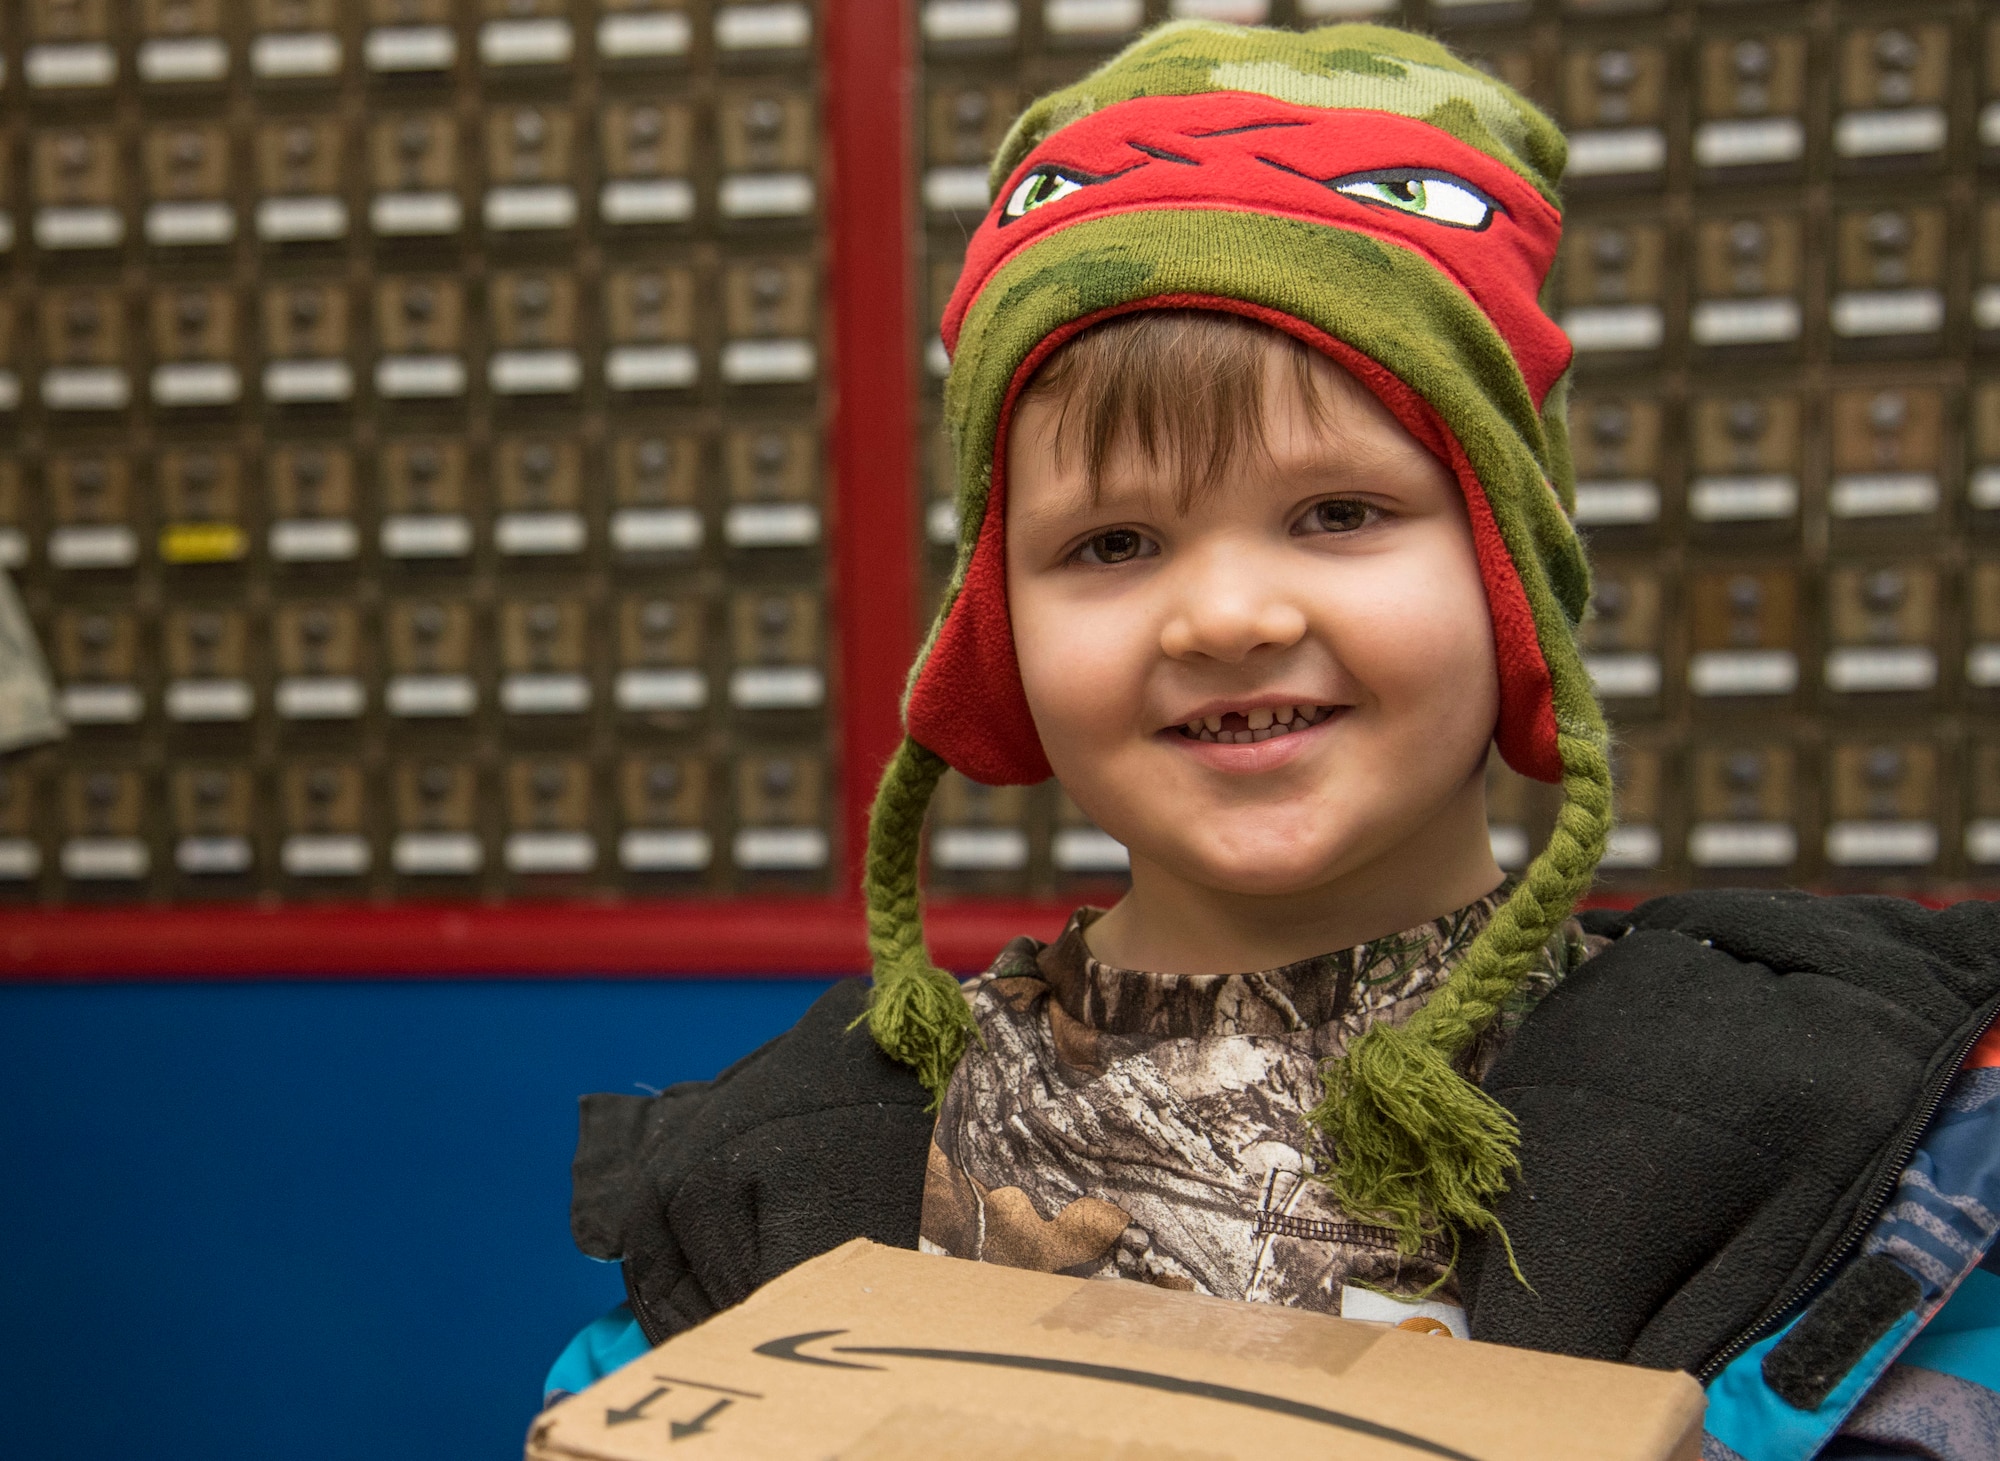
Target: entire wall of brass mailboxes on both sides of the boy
457, 259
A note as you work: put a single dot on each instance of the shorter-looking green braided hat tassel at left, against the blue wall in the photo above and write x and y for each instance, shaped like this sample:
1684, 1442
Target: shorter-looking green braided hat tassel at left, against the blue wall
915, 1010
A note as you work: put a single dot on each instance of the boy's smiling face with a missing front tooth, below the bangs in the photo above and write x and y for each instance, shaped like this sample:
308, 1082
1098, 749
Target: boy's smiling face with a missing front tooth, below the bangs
1317, 617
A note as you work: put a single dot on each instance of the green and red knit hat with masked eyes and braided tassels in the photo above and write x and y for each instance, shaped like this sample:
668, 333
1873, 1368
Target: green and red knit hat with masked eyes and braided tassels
1371, 195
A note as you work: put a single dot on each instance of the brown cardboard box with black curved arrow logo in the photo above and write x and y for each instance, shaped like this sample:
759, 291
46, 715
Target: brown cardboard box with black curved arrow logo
877, 1354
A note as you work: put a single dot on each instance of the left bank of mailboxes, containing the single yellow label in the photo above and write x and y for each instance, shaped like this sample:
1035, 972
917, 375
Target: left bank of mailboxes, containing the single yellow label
367, 401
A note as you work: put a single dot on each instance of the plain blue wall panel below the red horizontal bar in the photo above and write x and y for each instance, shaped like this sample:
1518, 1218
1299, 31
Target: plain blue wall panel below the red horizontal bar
313, 1222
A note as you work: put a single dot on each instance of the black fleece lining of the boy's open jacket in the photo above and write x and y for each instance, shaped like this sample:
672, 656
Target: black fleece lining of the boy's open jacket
1709, 1114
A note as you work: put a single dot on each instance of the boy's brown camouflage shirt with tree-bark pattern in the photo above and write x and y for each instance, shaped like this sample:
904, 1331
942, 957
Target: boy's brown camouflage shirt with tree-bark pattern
1135, 1126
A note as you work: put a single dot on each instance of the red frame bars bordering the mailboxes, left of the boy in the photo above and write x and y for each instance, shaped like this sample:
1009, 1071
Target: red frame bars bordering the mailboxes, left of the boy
869, 85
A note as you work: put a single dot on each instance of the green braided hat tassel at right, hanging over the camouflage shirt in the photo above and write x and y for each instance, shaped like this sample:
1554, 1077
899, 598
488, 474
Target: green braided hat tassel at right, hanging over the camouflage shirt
1417, 1148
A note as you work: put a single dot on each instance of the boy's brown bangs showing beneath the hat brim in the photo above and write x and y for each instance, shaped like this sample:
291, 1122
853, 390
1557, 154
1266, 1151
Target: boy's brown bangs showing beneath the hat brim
1185, 387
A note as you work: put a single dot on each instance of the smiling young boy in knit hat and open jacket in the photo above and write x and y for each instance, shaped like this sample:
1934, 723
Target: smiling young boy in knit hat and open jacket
1265, 545
